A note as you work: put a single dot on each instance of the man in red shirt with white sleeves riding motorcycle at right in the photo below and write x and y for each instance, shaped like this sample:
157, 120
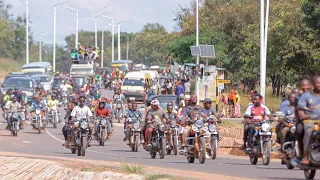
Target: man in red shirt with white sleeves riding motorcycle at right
253, 115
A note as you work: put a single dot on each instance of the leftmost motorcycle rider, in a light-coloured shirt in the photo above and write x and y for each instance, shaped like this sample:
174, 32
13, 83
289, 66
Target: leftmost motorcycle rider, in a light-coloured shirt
13, 107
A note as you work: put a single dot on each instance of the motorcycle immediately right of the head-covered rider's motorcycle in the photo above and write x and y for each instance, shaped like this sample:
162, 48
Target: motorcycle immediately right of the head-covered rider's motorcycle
173, 143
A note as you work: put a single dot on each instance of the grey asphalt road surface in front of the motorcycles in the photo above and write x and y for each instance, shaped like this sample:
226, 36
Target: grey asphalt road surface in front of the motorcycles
50, 143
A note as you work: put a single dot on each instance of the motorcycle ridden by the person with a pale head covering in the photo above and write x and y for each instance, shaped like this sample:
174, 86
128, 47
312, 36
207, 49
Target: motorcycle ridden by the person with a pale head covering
158, 138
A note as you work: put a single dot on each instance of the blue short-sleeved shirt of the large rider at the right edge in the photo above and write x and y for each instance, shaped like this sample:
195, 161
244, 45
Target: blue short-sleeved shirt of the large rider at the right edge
310, 101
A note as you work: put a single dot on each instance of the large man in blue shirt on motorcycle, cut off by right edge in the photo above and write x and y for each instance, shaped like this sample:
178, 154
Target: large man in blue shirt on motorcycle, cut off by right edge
308, 109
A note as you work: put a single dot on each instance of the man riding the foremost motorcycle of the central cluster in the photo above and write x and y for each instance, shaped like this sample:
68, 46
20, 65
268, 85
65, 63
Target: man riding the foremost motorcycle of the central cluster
189, 112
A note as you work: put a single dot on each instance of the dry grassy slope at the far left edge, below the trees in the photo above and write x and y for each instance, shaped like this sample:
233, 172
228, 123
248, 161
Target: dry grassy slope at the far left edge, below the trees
9, 65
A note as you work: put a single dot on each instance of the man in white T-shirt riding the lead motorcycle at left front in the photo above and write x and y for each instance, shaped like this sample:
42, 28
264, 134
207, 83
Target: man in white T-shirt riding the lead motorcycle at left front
82, 109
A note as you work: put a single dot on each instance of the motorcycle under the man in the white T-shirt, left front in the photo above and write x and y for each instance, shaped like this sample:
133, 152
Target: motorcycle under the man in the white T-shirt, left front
81, 135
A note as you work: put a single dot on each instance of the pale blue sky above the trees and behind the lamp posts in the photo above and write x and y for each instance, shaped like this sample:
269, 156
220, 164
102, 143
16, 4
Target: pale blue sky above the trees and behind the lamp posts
137, 13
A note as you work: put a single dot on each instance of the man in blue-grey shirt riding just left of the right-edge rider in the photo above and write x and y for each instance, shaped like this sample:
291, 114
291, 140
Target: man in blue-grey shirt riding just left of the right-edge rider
283, 128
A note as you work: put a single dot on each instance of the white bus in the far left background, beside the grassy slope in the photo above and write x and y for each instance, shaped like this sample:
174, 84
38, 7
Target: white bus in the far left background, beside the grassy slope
37, 68
